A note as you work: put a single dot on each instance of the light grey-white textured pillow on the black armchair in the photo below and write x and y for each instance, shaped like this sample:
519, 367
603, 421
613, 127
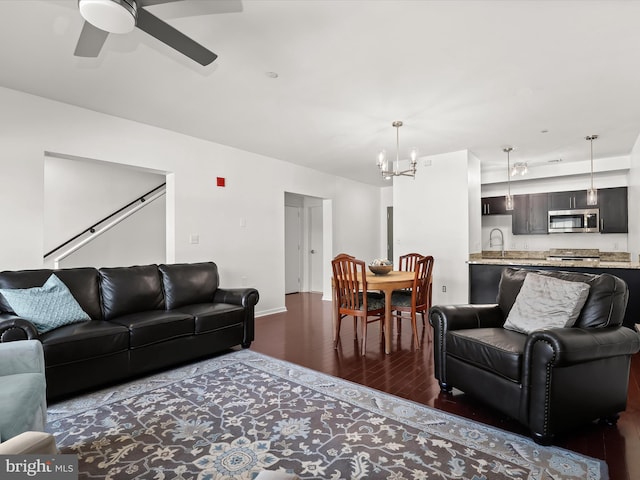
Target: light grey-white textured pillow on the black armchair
546, 302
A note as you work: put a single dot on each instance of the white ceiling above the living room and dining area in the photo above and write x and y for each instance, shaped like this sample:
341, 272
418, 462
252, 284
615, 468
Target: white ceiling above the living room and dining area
477, 75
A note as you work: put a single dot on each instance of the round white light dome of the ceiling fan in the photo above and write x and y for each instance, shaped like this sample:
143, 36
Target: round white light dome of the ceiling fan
113, 16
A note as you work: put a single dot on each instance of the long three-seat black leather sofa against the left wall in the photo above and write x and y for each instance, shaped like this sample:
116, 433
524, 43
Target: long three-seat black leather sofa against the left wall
143, 318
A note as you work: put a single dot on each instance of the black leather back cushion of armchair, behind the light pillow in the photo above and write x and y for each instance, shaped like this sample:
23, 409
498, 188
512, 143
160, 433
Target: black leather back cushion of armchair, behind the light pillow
605, 305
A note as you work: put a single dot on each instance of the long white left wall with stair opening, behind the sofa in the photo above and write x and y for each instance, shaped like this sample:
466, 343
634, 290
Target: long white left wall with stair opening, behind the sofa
241, 226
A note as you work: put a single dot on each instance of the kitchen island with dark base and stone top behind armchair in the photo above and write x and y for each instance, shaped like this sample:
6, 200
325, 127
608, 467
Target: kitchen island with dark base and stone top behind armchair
484, 277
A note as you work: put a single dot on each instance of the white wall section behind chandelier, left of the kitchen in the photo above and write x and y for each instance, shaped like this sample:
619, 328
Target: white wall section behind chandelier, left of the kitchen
431, 216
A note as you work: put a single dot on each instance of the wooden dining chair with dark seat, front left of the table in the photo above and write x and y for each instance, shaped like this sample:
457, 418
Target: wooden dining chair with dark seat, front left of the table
352, 298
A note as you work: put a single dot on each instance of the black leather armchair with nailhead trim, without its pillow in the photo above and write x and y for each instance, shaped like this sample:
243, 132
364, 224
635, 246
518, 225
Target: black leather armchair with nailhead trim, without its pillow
550, 380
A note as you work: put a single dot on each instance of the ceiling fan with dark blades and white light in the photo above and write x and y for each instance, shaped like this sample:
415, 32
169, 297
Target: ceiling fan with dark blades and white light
121, 16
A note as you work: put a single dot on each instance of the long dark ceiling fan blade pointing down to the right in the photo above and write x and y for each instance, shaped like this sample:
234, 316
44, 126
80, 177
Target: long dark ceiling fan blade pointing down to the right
177, 40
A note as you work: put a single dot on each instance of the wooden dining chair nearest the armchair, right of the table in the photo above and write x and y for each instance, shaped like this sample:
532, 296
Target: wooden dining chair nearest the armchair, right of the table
419, 299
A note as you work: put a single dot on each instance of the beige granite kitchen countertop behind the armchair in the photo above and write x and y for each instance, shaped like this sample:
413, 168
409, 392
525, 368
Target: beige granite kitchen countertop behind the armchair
511, 257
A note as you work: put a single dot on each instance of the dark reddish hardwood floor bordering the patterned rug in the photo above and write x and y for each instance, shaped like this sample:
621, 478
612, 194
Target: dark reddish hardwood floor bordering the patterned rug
302, 336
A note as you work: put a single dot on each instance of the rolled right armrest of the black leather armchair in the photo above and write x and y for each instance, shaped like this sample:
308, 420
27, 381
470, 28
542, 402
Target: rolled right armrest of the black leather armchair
578, 345
